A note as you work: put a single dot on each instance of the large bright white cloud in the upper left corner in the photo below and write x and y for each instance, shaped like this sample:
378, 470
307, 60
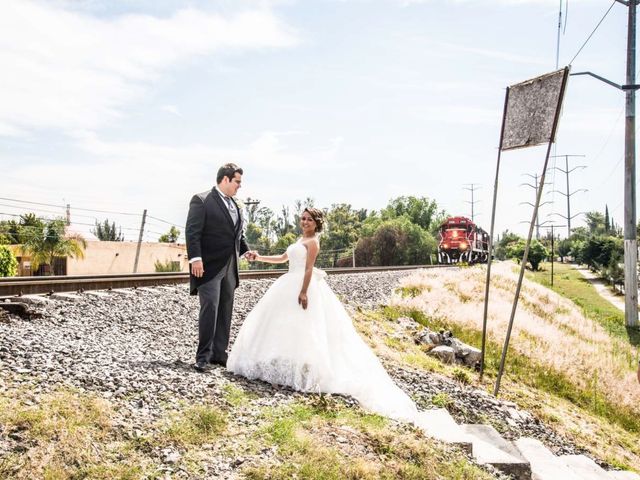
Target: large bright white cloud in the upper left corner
69, 70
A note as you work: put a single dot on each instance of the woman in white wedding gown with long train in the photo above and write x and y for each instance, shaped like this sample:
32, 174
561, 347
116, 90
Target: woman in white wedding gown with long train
300, 335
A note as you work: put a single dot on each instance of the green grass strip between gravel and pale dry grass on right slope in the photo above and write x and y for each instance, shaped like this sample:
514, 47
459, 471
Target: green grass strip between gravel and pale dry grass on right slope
523, 369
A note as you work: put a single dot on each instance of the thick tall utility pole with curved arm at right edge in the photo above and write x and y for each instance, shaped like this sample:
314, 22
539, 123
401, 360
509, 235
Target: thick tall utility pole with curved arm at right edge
630, 229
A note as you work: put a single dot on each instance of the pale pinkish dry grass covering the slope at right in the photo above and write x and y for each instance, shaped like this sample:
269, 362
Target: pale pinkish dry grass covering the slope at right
548, 328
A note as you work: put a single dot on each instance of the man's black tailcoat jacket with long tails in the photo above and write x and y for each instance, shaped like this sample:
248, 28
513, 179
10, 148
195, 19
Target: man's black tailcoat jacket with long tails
212, 236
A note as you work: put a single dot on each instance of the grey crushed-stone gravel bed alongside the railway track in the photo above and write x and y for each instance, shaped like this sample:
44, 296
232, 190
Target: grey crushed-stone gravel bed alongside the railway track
135, 347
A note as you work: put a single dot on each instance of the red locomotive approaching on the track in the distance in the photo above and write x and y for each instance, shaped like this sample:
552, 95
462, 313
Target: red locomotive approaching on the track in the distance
461, 240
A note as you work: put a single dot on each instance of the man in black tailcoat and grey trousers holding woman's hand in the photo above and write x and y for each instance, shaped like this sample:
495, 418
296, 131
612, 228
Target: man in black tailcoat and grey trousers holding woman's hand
215, 241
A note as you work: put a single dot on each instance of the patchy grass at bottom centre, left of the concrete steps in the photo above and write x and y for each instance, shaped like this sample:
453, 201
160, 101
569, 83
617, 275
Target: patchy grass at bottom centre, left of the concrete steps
375, 449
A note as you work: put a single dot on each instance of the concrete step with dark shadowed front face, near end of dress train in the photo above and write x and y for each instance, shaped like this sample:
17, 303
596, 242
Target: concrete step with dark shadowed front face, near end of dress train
490, 448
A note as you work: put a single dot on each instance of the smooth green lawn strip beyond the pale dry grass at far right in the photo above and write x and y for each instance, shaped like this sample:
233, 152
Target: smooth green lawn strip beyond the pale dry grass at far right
570, 283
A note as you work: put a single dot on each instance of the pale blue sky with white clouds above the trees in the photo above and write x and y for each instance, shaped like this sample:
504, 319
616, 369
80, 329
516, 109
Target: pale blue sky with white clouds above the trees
126, 105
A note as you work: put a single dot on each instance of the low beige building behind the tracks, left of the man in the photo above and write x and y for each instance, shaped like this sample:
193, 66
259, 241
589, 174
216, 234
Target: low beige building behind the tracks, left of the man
113, 257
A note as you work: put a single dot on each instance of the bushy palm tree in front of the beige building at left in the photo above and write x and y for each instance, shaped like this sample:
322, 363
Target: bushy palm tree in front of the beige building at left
49, 242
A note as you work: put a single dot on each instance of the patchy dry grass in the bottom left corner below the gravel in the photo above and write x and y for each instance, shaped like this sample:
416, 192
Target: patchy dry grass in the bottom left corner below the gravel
68, 435
